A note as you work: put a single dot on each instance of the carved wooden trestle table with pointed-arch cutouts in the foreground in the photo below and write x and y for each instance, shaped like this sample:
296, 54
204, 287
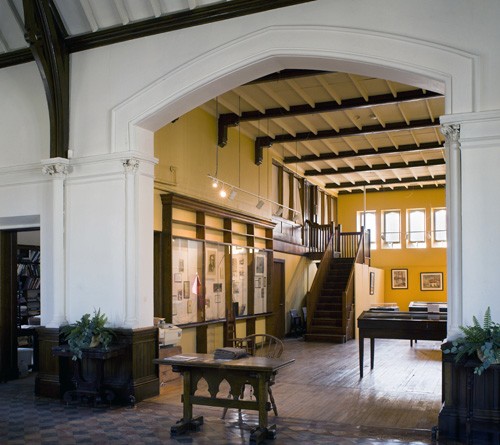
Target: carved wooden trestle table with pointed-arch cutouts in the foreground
259, 372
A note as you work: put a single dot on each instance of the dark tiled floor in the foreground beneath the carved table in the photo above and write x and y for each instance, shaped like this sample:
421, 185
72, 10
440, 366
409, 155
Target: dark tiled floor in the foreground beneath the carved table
27, 419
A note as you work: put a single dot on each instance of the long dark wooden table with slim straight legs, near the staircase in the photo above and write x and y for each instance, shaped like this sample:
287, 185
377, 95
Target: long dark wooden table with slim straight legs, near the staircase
398, 325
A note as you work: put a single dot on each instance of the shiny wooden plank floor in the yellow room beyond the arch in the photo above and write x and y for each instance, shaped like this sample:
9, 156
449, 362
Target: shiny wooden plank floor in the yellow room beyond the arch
403, 391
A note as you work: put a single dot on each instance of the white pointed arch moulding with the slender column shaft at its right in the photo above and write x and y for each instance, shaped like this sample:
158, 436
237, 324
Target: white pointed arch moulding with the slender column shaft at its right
409, 61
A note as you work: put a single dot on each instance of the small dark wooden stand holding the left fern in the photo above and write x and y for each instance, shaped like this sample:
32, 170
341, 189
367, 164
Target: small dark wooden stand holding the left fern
93, 388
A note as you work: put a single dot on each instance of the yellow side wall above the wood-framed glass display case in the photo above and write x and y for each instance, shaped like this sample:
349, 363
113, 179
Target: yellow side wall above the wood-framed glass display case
188, 145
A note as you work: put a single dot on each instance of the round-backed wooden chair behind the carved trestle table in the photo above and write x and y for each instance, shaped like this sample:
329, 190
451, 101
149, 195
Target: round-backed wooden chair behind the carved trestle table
260, 345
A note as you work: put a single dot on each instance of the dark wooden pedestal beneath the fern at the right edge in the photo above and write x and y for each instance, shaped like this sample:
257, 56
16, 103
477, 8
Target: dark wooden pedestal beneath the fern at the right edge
471, 403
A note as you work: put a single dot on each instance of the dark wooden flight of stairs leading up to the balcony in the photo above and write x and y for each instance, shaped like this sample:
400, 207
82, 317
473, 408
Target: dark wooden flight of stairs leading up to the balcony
326, 320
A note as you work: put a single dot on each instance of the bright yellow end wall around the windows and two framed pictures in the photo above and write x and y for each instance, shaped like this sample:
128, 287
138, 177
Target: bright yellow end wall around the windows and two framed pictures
415, 260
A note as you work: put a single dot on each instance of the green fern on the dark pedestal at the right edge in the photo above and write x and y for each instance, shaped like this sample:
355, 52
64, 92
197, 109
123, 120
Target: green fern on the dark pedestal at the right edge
481, 340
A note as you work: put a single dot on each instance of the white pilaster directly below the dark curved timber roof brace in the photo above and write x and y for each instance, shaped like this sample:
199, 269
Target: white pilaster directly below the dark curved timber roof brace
53, 268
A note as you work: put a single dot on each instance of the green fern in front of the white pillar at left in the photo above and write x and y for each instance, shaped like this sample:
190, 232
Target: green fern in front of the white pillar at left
88, 332
